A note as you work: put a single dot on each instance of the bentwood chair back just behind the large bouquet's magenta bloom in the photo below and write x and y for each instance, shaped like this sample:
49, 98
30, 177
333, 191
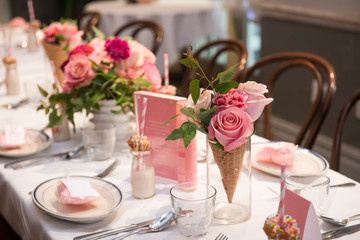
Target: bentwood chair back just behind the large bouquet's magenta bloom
135, 27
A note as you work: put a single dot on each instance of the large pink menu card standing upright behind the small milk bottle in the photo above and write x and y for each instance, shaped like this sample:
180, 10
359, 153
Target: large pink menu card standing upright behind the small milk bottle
171, 159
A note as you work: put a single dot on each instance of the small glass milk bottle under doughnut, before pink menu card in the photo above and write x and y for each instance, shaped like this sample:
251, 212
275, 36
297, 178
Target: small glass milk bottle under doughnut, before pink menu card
142, 175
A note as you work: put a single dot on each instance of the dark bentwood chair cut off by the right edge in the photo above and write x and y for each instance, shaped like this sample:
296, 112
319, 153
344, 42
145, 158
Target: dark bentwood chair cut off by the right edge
336, 147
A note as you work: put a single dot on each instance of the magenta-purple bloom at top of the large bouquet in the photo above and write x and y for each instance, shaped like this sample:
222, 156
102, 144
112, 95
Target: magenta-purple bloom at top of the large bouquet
117, 49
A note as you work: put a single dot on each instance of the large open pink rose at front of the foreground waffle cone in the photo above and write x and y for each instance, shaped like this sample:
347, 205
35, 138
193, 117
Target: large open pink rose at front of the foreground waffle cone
231, 127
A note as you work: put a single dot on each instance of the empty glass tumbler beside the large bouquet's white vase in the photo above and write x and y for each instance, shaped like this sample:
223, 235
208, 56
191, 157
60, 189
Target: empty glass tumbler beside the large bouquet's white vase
99, 141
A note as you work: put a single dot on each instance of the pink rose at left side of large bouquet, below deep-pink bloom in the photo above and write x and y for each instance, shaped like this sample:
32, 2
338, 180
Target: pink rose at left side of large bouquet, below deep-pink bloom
78, 72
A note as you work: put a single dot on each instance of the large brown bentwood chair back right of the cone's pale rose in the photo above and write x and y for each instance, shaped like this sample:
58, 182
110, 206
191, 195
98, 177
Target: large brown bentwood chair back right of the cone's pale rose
319, 69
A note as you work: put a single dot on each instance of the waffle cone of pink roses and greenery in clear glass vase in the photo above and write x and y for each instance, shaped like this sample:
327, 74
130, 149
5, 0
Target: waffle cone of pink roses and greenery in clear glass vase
225, 111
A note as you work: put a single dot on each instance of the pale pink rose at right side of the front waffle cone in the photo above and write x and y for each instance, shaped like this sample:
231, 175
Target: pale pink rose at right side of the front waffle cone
256, 100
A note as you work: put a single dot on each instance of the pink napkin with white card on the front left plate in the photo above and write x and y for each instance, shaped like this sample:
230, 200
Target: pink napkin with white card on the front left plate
75, 192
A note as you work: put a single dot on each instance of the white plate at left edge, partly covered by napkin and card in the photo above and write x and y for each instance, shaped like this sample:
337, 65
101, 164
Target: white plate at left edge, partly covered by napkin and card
35, 141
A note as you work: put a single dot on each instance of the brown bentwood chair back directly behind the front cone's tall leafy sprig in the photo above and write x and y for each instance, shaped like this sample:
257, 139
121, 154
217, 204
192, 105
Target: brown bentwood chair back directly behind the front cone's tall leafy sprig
210, 56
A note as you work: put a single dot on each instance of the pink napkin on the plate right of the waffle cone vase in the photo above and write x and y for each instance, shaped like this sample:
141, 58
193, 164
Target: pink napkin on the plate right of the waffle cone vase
277, 153
